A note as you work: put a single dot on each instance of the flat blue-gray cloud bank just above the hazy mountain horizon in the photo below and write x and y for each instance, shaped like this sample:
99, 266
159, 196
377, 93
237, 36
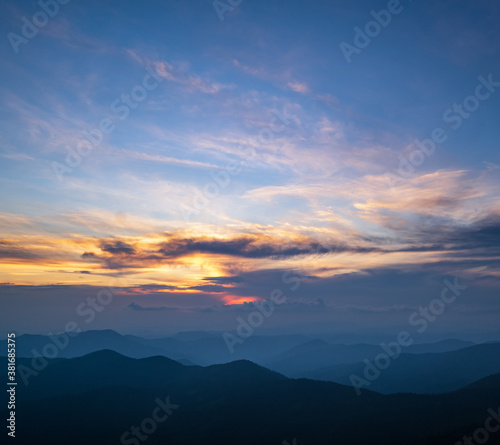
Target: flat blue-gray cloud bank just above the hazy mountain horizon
379, 299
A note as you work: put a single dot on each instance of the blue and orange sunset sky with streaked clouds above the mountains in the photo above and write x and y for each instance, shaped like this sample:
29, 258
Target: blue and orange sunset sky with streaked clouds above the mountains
176, 162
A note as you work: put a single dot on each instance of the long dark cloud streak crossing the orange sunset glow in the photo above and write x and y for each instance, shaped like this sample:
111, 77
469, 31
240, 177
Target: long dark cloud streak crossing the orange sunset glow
481, 238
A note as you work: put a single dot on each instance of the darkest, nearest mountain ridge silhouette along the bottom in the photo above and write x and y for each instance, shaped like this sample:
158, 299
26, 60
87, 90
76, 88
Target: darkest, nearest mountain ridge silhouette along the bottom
97, 398
